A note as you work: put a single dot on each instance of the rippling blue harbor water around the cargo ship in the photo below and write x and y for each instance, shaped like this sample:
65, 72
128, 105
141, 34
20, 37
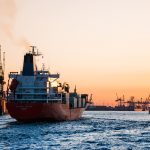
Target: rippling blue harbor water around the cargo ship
95, 130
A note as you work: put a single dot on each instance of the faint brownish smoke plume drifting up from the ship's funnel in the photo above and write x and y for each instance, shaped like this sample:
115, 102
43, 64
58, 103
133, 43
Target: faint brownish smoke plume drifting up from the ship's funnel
8, 11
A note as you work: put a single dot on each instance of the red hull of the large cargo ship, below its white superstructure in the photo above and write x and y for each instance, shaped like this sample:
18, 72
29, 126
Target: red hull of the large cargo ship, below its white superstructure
29, 112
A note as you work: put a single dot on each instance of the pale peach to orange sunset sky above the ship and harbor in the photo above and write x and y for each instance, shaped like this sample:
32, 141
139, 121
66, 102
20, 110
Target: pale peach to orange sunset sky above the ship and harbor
101, 46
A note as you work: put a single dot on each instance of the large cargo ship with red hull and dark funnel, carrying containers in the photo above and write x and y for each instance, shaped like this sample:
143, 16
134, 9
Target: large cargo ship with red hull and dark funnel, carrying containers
37, 95
